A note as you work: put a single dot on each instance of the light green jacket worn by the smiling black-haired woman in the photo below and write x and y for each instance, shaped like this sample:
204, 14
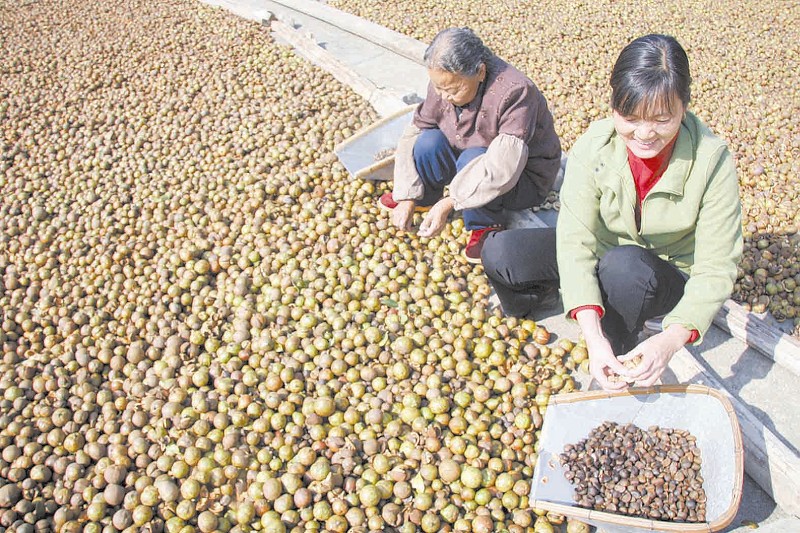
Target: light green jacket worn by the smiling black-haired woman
691, 218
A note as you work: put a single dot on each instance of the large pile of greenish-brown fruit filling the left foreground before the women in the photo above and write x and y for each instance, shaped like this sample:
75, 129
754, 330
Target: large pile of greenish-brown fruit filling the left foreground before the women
207, 326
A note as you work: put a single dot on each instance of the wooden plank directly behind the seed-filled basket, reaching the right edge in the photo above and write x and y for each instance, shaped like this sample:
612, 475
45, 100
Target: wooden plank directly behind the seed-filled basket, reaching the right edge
773, 465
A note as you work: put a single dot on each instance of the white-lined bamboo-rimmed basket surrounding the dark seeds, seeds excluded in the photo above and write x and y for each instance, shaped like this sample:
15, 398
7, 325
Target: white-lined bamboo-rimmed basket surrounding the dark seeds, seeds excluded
703, 411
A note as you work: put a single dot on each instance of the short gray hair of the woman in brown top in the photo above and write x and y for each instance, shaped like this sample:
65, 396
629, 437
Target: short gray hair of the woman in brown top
457, 50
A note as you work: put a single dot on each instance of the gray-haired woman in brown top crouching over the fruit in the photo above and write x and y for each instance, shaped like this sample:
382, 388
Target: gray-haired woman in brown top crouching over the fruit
483, 132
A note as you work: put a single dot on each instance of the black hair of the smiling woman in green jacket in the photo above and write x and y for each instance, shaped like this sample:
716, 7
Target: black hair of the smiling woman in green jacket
648, 74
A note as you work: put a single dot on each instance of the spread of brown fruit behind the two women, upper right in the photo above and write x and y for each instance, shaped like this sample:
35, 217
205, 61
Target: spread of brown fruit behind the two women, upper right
745, 89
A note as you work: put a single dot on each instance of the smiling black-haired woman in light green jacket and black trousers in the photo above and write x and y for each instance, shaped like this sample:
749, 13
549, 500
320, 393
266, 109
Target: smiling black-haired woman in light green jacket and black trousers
650, 223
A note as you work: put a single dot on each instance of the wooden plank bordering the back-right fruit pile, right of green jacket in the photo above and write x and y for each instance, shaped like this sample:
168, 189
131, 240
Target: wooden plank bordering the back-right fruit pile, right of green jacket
756, 332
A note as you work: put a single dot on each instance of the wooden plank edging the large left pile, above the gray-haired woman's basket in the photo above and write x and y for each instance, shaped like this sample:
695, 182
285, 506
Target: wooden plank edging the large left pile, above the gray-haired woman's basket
384, 102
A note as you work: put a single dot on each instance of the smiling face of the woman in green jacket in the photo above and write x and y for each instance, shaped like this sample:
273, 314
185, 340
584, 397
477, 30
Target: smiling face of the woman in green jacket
647, 133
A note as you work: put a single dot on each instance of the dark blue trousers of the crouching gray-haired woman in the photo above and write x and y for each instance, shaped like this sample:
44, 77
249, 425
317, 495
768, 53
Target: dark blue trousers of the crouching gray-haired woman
437, 163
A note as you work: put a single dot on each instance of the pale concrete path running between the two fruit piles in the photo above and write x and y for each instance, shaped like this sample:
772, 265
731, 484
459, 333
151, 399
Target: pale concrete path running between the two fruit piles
766, 389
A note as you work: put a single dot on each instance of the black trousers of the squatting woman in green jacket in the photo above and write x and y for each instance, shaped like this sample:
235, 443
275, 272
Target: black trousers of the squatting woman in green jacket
635, 284
